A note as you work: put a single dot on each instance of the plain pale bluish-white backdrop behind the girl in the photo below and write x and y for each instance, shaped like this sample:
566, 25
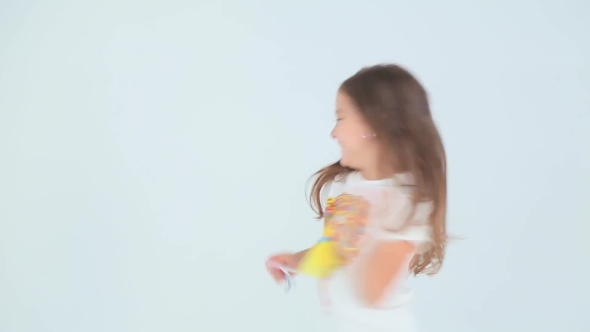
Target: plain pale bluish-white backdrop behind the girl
154, 153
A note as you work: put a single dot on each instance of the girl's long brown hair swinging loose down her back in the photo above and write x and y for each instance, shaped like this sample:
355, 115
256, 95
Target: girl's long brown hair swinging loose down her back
396, 106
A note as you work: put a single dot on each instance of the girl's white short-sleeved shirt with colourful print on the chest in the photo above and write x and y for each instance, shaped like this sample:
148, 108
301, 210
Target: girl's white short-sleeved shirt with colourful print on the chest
391, 217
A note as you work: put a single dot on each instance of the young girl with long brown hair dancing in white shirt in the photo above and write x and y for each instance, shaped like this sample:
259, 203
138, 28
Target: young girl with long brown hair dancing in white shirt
384, 202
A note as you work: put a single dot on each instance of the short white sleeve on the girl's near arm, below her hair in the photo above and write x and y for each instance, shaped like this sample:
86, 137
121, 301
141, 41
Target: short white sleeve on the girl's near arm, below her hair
392, 215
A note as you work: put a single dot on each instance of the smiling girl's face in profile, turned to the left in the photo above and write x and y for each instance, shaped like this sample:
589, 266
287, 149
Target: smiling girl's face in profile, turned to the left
355, 137
